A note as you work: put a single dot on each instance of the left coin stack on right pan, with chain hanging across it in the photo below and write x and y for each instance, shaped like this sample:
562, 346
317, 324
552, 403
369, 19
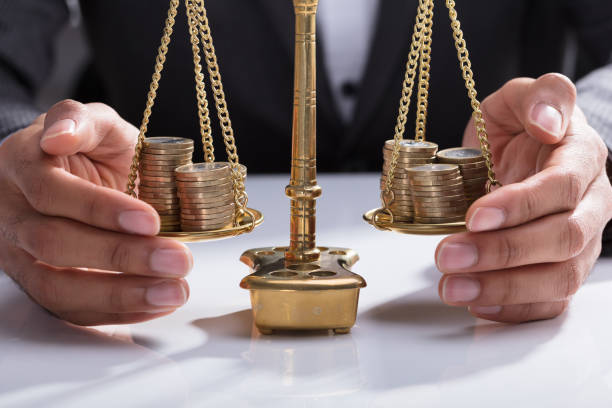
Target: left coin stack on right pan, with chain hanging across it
411, 153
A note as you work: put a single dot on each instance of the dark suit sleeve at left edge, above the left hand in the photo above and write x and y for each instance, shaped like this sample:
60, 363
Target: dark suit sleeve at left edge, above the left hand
27, 31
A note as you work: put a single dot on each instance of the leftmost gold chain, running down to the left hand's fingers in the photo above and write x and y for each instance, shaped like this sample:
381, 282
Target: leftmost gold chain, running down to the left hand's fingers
159, 67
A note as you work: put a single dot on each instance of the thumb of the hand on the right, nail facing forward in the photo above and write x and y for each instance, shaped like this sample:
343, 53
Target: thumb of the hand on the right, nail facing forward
541, 107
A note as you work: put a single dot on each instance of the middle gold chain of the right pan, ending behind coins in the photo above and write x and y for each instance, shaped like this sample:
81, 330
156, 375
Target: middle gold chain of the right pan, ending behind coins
424, 67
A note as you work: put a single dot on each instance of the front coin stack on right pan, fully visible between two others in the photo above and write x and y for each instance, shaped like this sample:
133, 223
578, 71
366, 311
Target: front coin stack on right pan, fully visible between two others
437, 193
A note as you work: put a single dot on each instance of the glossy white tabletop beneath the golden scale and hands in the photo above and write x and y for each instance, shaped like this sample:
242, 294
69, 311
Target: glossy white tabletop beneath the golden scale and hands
407, 349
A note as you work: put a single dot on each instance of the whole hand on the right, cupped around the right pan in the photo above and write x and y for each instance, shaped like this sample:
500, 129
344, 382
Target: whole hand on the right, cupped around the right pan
531, 243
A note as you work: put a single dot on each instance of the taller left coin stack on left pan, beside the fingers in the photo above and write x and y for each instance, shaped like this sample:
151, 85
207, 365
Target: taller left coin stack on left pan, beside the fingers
158, 159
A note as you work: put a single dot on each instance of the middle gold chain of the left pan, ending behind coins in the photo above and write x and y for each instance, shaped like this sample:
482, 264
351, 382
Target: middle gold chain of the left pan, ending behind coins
203, 112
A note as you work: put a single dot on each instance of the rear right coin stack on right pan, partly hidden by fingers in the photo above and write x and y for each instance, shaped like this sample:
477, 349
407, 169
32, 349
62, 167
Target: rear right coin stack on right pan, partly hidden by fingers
473, 168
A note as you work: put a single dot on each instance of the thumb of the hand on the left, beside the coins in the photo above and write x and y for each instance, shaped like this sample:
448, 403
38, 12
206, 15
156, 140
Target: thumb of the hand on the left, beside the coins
72, 127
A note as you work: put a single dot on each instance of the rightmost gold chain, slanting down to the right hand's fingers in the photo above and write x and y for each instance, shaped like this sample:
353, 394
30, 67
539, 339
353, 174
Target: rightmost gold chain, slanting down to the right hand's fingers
470, 84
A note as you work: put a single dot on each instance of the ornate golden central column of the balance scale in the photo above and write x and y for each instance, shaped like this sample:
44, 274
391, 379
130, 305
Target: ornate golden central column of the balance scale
303, 188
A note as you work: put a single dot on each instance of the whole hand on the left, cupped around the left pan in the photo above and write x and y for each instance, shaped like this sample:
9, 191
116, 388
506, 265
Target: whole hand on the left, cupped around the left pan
69, 236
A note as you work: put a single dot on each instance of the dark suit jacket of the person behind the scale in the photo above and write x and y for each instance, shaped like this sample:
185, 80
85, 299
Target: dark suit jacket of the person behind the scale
253, 38
